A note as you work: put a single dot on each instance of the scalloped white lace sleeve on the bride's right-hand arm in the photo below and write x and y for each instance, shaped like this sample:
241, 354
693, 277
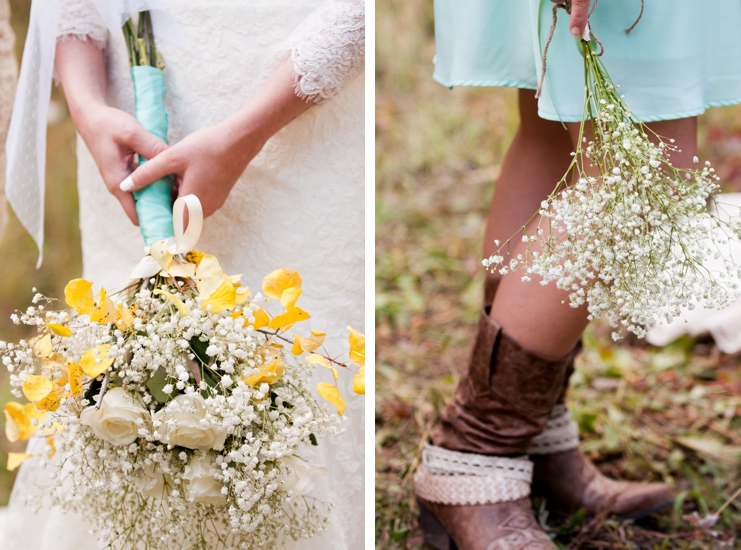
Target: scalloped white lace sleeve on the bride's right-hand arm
328, 49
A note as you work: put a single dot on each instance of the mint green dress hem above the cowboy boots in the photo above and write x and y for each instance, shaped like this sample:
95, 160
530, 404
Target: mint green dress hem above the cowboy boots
682, 57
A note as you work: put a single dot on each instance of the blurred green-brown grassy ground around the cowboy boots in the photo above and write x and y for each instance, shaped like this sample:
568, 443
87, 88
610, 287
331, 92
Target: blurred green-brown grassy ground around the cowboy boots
645, 413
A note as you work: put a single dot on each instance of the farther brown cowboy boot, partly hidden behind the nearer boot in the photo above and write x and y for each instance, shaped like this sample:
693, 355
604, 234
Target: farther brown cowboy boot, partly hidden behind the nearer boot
567, 479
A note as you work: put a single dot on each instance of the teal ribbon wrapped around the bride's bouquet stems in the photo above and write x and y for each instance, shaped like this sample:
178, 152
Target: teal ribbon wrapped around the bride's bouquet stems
154, 202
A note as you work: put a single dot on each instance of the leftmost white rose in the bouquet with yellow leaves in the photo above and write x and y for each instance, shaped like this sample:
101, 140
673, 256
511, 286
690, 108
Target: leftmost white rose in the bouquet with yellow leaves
115, 421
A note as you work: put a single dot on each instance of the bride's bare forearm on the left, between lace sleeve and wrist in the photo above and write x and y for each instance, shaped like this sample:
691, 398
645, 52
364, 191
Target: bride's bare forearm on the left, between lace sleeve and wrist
82, 71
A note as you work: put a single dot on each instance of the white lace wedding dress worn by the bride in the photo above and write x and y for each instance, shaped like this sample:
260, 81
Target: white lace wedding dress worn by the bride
298, 205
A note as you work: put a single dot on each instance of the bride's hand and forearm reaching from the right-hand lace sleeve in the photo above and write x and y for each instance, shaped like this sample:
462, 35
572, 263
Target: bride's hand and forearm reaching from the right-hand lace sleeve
208, 162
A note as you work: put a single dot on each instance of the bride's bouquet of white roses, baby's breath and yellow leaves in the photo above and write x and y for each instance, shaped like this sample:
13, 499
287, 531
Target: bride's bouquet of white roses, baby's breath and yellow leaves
175, 410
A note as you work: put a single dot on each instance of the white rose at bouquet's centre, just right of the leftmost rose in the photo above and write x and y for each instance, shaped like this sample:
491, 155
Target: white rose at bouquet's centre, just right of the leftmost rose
183, 424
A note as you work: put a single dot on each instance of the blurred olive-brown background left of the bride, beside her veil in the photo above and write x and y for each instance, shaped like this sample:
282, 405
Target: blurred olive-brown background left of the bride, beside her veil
18, 254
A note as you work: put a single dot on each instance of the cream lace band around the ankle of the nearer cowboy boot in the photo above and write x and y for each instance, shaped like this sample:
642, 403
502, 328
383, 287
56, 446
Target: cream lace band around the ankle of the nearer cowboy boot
454, 478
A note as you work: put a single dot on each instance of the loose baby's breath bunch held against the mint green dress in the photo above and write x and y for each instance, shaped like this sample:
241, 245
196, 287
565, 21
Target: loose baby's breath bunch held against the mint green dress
625, 231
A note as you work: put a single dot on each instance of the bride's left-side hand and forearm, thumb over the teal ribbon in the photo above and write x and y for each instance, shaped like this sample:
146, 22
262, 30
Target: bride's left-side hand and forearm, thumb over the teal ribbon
112, 136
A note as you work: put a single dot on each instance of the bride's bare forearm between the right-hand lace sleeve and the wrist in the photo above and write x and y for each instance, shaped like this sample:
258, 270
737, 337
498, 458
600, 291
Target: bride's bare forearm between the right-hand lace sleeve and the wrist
273, 107
